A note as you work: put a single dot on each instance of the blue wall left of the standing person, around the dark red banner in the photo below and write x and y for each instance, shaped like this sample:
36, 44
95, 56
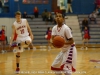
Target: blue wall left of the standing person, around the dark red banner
15, 6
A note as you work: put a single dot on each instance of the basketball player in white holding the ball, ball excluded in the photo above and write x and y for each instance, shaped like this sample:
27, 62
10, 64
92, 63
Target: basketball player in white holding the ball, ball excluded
65, 62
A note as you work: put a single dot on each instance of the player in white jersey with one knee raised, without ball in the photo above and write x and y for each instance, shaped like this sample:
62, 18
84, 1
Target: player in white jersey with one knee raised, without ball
24, 36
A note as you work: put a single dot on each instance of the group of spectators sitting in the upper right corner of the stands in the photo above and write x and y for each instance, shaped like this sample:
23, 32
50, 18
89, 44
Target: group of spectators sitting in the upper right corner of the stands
92, 16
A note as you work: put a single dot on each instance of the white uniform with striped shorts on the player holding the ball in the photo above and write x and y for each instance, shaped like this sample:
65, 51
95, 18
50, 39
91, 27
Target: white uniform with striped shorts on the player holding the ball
66, 59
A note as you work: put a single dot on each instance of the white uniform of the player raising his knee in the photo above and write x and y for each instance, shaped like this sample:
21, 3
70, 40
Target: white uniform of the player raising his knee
22, 32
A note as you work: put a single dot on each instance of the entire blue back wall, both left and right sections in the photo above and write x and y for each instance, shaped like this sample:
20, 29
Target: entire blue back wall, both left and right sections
79, 7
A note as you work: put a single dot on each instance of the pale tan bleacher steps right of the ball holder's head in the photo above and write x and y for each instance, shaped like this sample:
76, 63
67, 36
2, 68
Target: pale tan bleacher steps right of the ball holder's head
72, 22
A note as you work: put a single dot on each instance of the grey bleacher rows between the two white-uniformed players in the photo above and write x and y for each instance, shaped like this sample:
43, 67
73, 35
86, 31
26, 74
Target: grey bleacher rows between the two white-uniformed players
39, 29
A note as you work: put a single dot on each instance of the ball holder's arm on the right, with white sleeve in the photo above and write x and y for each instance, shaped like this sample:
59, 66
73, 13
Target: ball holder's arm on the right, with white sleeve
68, 35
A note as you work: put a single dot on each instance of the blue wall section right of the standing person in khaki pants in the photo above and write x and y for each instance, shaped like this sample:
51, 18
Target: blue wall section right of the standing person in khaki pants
83, 6
